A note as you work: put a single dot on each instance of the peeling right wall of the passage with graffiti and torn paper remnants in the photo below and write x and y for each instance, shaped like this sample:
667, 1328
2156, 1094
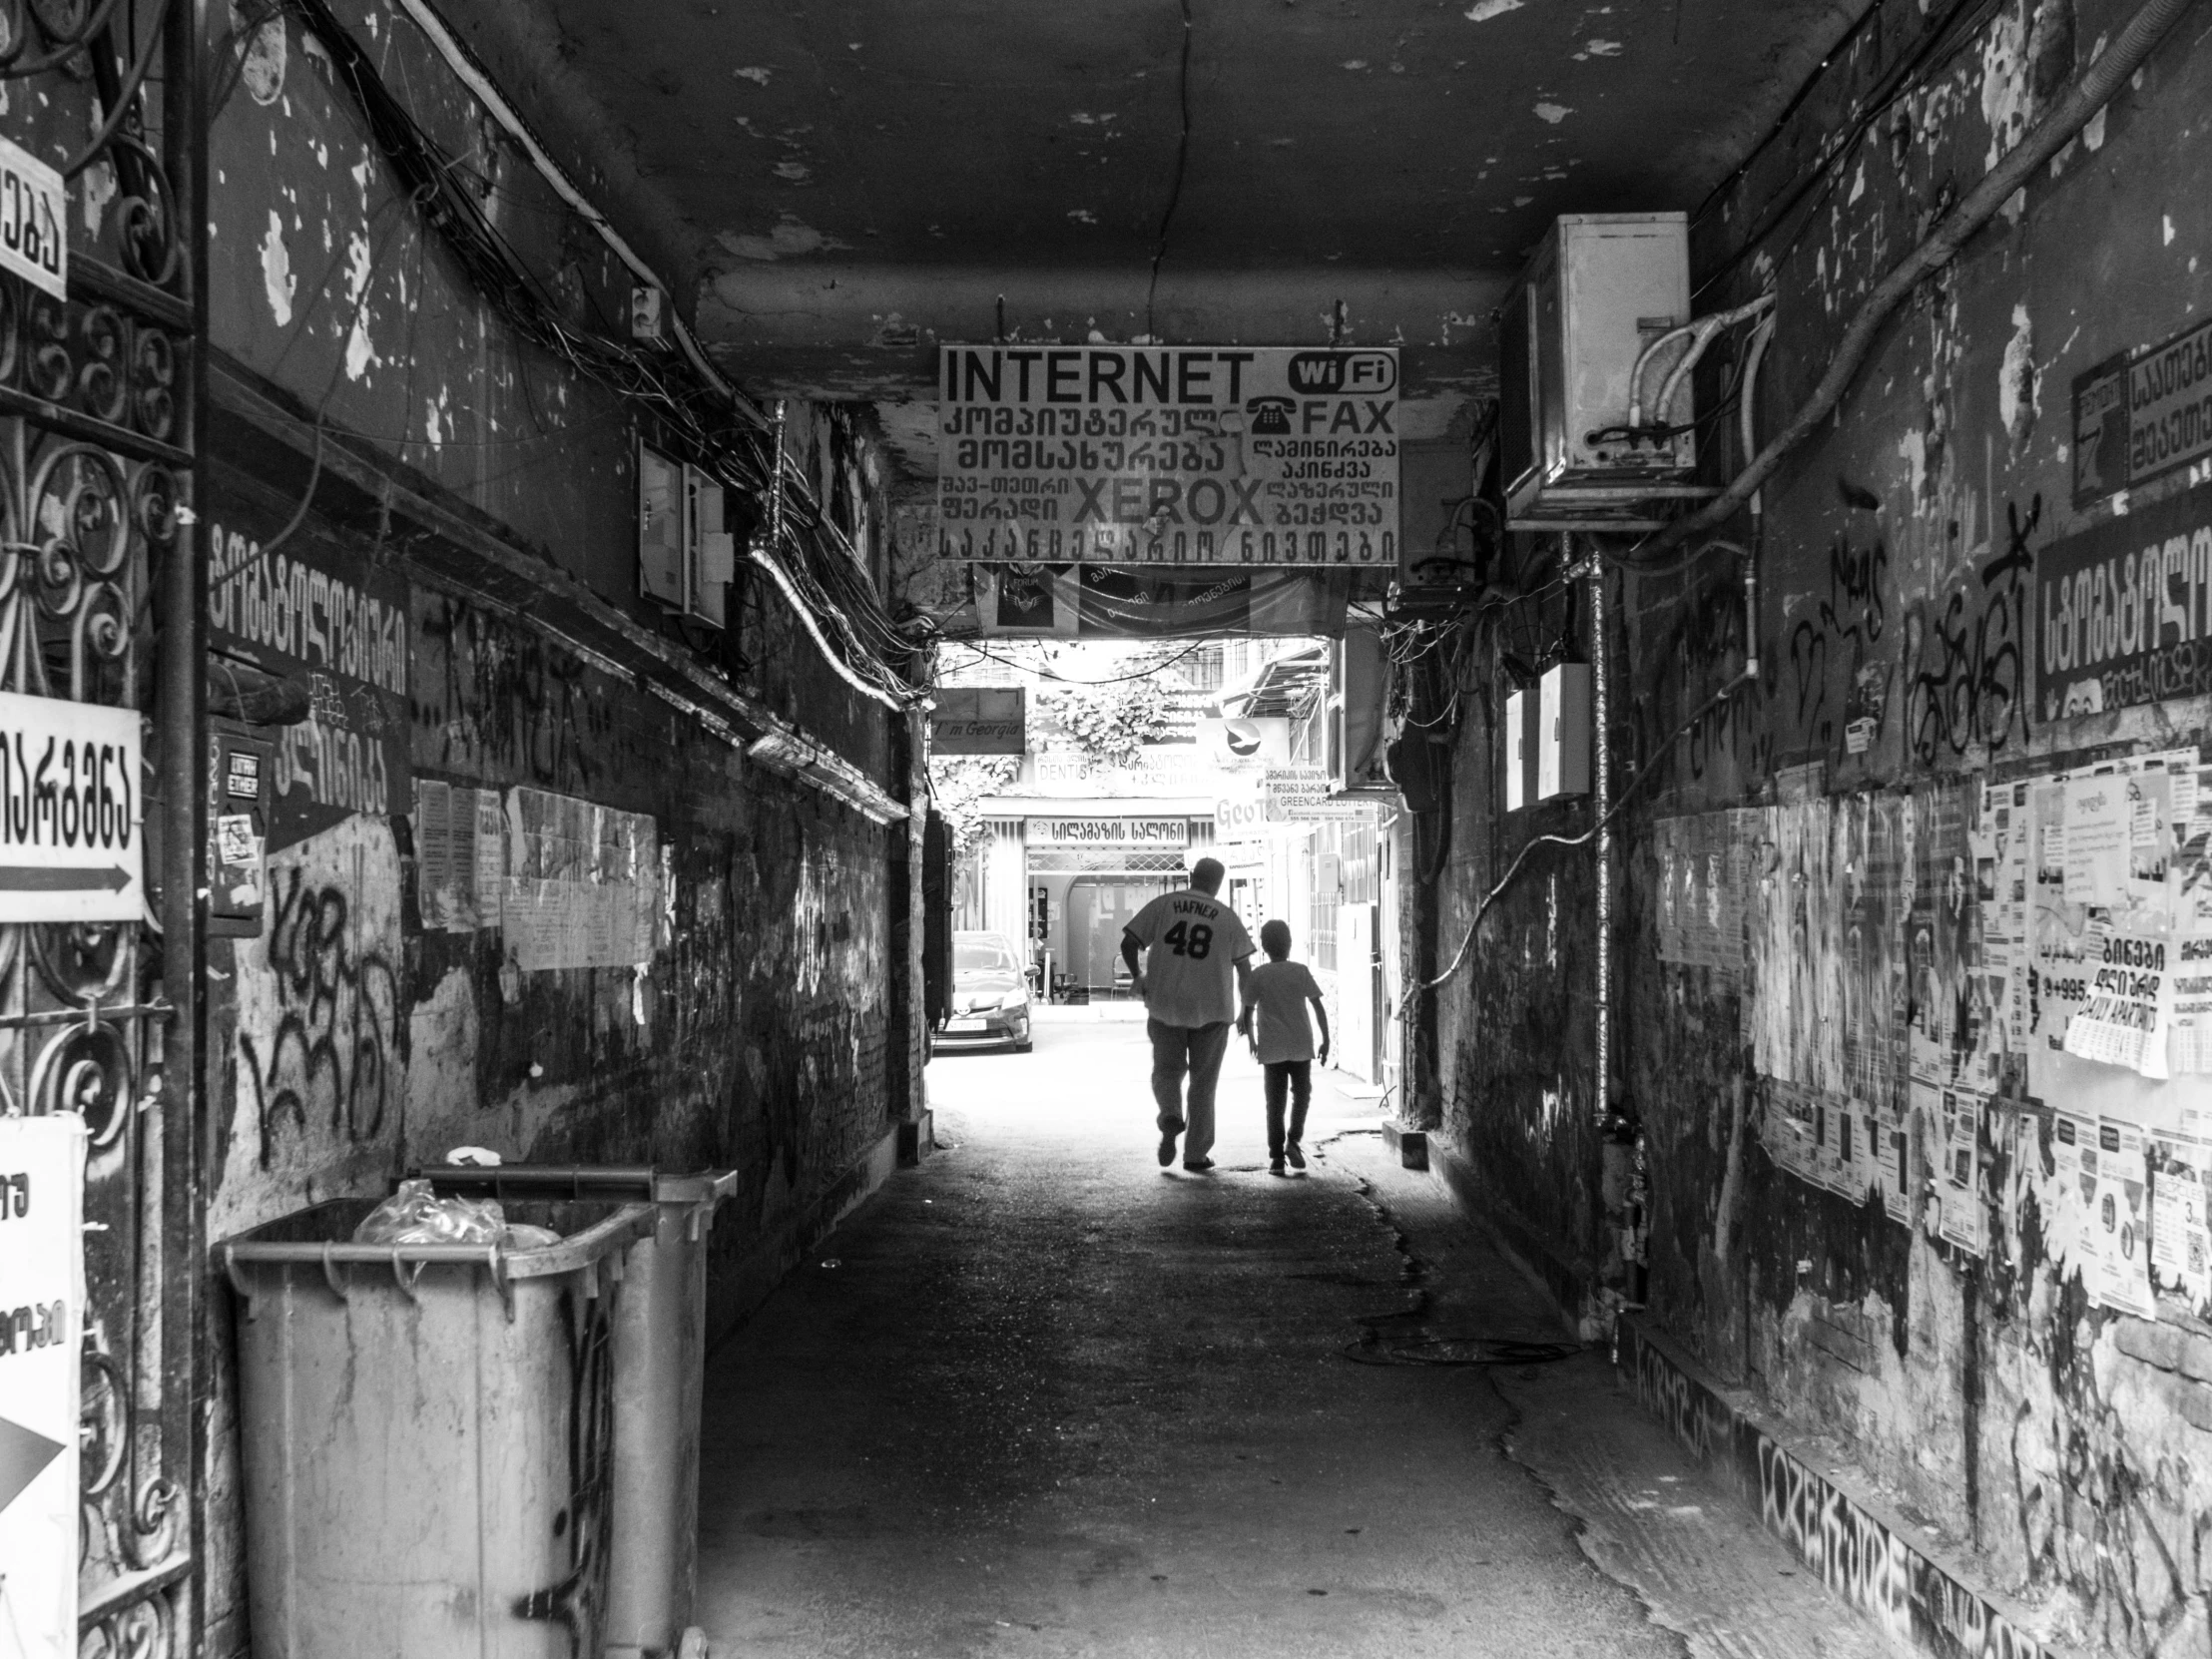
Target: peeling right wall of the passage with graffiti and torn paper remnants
1992, 1395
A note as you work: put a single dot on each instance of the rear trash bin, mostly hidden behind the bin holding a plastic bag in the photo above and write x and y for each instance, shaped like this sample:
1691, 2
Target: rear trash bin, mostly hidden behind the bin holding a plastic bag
660, 1364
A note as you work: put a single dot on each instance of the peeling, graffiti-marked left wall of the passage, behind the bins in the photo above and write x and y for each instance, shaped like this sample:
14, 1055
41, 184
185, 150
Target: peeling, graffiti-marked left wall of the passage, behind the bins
351, 1036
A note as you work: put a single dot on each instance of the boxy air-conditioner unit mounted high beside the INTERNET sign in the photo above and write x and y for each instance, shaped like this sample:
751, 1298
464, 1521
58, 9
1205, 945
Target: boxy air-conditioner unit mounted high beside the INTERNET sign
1596, 295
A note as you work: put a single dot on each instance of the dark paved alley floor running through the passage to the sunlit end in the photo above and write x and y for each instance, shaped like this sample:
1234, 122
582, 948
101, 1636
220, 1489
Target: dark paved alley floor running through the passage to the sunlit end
1043, 1397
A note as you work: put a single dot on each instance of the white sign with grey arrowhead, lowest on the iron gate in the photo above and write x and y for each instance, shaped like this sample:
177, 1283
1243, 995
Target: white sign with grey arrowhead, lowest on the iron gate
41, 1337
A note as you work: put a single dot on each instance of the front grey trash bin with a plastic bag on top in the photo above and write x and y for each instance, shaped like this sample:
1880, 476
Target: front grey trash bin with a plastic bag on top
428, 1434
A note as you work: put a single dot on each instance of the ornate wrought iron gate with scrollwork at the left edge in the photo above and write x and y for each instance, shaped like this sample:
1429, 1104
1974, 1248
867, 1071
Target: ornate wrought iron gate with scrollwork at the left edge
98, 605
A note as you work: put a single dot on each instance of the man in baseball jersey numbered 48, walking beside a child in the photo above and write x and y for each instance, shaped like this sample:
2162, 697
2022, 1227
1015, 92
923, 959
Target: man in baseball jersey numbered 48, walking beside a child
1198, 963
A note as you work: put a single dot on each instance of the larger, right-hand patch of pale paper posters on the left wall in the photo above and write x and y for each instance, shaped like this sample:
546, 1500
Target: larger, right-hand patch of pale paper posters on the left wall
583, 884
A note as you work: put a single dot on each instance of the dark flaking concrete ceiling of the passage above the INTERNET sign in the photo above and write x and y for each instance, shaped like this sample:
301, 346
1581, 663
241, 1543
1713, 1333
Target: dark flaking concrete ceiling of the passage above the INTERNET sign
866, 178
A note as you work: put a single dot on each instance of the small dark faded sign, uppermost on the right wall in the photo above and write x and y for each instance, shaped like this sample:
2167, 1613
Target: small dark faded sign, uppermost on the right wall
2145, 415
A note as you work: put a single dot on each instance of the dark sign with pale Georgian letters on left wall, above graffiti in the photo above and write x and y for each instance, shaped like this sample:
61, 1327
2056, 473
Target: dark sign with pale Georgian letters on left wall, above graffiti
324, 616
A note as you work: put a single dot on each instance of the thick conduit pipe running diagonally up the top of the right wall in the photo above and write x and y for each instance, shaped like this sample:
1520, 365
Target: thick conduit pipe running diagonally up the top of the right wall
2045, 140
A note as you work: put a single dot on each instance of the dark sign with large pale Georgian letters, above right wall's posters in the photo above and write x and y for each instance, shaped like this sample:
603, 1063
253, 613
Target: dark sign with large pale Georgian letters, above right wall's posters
2125, 609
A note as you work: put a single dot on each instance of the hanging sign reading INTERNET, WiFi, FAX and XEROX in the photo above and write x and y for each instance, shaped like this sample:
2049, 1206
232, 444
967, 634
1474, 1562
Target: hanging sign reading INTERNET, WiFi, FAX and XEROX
1134, 455
